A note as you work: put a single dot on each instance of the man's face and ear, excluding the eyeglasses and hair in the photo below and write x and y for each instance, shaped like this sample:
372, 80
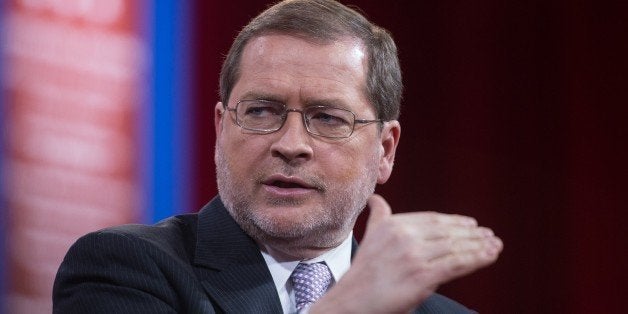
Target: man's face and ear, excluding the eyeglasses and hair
291, 191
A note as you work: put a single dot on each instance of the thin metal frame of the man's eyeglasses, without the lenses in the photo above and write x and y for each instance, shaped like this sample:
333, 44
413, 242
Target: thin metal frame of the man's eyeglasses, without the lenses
284, 117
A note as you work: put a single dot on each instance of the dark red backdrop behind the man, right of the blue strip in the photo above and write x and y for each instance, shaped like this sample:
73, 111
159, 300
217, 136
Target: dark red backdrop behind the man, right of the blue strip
513, 113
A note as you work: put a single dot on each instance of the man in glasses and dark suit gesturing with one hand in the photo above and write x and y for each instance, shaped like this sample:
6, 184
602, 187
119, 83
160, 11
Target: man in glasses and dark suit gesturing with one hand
306, 128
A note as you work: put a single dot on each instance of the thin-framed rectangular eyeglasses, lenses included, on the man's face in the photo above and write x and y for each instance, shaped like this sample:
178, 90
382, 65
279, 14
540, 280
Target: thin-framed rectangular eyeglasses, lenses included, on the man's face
266, 116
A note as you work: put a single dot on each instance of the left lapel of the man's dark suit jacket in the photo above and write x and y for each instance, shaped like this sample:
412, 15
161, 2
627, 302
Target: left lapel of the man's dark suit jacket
230, 266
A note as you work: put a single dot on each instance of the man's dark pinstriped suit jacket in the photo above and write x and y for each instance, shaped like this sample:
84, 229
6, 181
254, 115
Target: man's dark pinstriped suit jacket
194, 263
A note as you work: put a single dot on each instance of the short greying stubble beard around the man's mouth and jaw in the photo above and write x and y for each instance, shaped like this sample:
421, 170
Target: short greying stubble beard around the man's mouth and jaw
321, 228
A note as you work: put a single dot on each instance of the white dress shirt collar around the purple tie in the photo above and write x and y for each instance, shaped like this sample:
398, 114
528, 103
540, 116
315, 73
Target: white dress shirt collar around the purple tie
337, 259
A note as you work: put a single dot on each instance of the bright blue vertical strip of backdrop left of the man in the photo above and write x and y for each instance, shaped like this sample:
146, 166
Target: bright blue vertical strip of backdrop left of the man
169, 128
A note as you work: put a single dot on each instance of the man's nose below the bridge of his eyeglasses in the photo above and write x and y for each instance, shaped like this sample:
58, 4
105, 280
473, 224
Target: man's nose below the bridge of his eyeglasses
293, 141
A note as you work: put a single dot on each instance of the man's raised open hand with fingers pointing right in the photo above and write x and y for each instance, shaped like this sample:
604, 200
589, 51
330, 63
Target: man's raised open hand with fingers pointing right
403, 258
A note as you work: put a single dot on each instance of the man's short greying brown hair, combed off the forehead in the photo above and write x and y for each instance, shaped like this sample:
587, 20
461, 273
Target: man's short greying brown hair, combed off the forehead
324, 21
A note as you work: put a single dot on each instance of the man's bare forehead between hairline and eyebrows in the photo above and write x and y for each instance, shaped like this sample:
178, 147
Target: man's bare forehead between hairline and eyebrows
290, 67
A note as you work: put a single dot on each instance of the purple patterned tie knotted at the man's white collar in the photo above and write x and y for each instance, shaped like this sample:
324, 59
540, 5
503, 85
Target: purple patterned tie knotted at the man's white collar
310, 281
